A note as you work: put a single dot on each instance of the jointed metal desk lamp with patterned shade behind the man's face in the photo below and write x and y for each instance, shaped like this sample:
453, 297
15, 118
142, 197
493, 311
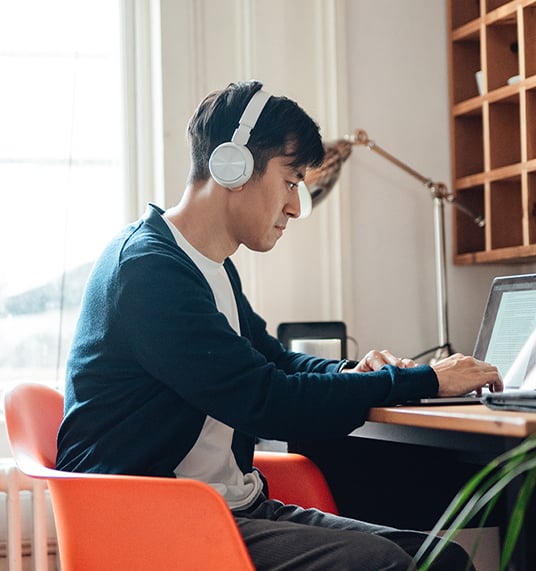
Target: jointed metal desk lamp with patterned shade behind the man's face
321, 180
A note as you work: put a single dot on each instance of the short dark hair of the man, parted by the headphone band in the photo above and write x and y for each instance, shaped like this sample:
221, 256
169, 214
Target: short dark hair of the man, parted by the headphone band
283, 128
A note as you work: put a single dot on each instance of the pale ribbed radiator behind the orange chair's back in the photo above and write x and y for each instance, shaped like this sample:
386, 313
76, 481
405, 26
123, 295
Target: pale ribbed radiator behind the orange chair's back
28, 537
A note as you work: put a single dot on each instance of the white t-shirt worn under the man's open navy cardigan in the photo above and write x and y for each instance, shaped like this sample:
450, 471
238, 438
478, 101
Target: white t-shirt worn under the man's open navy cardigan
211, 459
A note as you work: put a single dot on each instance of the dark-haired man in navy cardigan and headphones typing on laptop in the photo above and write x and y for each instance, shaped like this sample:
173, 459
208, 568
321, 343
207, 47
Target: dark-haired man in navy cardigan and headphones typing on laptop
171, 373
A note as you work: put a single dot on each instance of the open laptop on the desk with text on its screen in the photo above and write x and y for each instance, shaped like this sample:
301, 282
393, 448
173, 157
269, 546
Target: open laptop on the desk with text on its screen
506, 338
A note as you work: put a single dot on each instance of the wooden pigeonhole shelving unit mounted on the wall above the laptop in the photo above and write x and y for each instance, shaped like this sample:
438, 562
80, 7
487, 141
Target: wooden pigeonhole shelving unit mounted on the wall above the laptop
493, 132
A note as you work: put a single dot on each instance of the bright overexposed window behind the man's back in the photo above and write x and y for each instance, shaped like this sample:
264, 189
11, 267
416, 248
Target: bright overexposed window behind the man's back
61, 171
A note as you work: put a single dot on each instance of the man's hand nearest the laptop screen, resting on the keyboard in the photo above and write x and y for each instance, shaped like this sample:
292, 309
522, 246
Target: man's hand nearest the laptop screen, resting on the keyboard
458, 375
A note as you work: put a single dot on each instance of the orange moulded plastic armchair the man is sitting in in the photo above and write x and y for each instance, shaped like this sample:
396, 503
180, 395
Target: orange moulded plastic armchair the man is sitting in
111, 522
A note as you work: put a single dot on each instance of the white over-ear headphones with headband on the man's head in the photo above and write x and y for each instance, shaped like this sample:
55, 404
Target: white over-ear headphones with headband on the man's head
231, 163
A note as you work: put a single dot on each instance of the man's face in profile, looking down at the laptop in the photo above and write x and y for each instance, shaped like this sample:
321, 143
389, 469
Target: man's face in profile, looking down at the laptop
263, 206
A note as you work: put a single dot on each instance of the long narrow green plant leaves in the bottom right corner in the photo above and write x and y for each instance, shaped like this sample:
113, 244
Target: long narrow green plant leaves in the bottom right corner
479, 496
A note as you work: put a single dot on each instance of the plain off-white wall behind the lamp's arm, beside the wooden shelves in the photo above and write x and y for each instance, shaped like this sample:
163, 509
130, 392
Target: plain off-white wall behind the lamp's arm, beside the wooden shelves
398, 79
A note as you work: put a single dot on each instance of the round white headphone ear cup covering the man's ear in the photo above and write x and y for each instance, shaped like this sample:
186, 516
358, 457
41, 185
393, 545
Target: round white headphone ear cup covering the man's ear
231, 165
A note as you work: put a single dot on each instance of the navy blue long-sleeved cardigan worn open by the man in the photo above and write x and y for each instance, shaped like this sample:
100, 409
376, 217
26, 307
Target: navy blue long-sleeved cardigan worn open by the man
152, 357
